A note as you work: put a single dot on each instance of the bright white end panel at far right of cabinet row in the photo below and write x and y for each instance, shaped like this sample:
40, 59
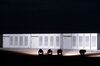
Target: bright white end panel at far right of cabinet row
94, 41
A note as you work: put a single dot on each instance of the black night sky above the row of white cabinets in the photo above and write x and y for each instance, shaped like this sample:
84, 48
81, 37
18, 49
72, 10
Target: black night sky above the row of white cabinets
49, 16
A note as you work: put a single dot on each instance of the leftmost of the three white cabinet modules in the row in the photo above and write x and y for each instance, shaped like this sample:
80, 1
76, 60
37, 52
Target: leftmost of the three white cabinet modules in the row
16, 40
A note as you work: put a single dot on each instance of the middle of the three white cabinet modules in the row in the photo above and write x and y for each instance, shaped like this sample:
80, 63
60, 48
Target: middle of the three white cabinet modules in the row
45, 41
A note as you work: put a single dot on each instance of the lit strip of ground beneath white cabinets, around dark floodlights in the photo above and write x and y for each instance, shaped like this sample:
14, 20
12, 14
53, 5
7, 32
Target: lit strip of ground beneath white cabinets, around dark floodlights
89, 53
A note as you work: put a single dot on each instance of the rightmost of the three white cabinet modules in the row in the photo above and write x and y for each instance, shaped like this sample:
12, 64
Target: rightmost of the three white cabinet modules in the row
81, 41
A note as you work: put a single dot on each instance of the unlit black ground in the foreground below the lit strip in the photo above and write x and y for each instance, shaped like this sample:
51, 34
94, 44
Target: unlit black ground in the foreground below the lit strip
11, 58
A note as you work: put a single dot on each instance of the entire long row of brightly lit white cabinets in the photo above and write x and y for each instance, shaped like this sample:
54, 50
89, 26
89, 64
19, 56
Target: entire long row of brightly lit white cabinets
53, 41
